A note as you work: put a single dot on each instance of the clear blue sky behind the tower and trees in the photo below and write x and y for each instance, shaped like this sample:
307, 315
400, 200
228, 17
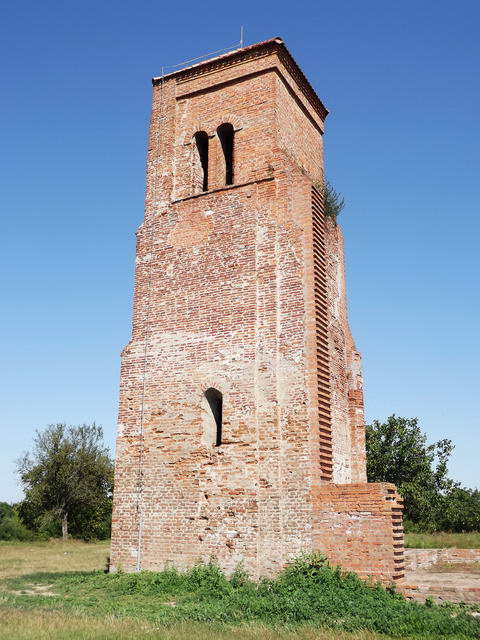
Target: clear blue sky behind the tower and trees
402, 145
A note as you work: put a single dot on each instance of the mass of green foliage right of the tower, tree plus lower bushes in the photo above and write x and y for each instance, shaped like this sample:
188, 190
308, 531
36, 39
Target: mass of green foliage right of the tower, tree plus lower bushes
398, 452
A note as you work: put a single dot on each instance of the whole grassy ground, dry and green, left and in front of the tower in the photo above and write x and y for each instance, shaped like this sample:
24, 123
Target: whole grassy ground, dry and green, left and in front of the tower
58, 591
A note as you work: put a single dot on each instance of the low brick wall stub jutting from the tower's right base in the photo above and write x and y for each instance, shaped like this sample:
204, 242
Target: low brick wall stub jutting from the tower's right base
359, 527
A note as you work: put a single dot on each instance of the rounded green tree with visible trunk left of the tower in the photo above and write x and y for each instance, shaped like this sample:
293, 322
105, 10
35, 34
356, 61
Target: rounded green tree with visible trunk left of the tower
68, 480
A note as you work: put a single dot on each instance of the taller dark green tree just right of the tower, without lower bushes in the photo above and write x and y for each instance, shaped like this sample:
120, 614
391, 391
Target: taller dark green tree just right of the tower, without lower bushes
398, 452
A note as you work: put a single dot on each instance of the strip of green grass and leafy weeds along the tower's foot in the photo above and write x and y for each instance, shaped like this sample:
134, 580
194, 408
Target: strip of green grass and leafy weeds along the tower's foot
307, 594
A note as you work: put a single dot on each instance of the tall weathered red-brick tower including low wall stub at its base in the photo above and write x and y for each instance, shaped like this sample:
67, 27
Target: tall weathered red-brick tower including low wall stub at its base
241, 412
